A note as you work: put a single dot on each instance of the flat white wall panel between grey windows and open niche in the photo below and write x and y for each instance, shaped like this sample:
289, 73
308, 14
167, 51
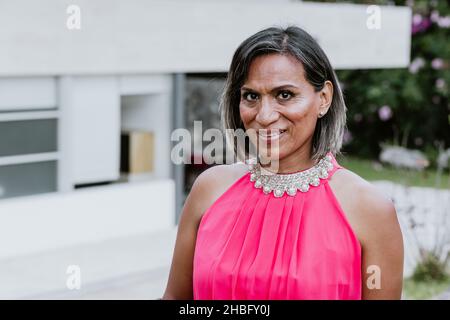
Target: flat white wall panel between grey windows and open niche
91, 106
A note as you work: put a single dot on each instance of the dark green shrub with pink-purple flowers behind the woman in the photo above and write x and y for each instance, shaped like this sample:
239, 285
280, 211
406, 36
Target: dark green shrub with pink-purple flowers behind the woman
410, 106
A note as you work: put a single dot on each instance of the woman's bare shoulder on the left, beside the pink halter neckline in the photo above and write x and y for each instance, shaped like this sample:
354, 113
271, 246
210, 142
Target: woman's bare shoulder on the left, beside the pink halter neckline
212, 183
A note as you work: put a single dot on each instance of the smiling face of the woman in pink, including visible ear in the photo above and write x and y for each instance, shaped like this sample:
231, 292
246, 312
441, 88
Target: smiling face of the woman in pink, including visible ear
277, 97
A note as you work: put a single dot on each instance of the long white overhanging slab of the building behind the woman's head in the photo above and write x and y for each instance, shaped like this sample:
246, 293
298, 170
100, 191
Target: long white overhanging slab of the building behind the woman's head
148, 36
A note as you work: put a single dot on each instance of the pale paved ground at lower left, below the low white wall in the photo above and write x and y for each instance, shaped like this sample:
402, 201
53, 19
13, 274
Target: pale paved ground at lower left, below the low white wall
135, 267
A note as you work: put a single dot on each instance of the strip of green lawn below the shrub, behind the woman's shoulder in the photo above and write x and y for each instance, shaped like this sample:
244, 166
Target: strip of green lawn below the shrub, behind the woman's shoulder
371, 171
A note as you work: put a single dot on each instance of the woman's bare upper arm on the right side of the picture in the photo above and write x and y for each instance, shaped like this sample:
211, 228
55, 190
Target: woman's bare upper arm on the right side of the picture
382, 247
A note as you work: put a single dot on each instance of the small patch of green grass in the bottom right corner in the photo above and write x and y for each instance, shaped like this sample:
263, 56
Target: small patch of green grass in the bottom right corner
413, 290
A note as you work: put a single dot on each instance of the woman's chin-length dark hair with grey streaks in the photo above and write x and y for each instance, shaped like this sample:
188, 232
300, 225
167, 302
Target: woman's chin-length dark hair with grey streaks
294, 41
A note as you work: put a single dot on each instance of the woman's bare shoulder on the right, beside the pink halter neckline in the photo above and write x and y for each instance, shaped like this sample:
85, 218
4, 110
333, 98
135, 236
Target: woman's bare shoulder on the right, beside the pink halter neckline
368, 209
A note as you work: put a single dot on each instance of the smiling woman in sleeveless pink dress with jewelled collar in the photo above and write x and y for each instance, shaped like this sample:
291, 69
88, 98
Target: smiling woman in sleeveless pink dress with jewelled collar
309, 230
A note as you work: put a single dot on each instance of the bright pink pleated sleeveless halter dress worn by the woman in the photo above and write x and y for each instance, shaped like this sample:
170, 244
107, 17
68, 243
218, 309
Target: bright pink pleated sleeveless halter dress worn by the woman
252, 245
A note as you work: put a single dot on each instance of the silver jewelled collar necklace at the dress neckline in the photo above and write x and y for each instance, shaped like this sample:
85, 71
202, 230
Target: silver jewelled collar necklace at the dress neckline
291, 182
